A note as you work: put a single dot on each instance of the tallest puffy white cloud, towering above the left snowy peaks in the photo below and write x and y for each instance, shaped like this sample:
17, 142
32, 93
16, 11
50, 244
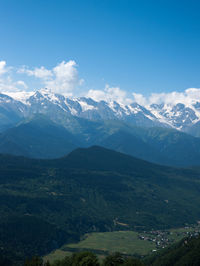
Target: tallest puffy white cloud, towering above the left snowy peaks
63, 78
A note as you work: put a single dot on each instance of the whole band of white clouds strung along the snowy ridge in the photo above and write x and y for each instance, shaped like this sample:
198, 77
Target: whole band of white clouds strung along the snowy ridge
64, 79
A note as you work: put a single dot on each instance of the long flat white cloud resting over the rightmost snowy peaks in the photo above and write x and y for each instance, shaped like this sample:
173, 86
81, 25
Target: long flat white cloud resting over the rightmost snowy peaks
188, 97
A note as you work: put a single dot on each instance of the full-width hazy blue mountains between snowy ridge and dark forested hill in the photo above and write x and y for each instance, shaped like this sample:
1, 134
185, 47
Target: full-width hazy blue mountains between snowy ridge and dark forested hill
40, 137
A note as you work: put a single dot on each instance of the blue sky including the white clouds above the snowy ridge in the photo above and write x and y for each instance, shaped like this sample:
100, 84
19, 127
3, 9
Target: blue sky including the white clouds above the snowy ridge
105, 49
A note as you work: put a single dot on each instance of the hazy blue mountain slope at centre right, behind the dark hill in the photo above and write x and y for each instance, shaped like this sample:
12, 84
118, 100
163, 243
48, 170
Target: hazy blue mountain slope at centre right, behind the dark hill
158, 145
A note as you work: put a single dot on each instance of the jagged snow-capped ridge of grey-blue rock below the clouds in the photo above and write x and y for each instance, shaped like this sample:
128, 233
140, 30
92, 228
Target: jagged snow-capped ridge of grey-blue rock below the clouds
59, 107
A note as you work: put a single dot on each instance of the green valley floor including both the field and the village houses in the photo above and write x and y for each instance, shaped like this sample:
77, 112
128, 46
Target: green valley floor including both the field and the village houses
125, 242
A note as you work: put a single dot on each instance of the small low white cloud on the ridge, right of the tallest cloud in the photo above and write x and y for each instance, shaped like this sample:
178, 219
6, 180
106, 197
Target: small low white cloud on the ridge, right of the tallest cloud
109, 94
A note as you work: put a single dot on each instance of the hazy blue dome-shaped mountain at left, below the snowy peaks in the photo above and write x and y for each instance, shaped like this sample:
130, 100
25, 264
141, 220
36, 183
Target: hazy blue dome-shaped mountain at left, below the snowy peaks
37, 137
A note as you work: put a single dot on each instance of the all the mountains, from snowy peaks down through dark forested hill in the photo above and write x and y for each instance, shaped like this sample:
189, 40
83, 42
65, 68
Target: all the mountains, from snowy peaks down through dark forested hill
75, 172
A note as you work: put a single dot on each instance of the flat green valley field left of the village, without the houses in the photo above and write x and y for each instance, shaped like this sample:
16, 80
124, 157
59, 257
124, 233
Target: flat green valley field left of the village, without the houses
125, 242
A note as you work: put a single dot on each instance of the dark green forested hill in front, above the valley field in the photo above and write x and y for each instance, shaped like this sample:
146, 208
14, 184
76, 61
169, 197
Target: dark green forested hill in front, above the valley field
45, 203
